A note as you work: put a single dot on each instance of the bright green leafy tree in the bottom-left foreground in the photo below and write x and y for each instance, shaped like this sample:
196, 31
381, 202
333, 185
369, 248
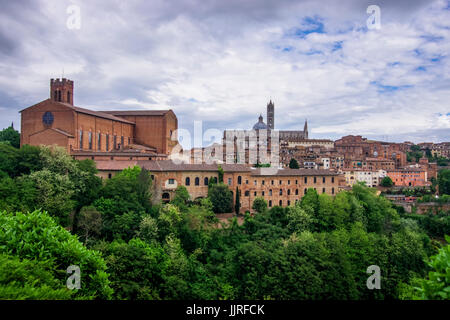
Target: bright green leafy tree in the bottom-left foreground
36, 236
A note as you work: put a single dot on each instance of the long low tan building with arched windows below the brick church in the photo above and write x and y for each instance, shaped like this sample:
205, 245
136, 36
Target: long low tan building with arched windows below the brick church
279, 187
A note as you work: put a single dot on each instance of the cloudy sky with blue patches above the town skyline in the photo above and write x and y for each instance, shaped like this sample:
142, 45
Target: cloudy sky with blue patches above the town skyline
221, 61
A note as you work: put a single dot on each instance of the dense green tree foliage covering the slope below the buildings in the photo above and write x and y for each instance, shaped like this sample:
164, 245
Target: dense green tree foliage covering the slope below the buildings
128, 248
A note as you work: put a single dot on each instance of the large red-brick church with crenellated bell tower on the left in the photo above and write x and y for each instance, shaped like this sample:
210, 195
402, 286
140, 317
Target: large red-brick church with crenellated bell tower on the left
106, 135
